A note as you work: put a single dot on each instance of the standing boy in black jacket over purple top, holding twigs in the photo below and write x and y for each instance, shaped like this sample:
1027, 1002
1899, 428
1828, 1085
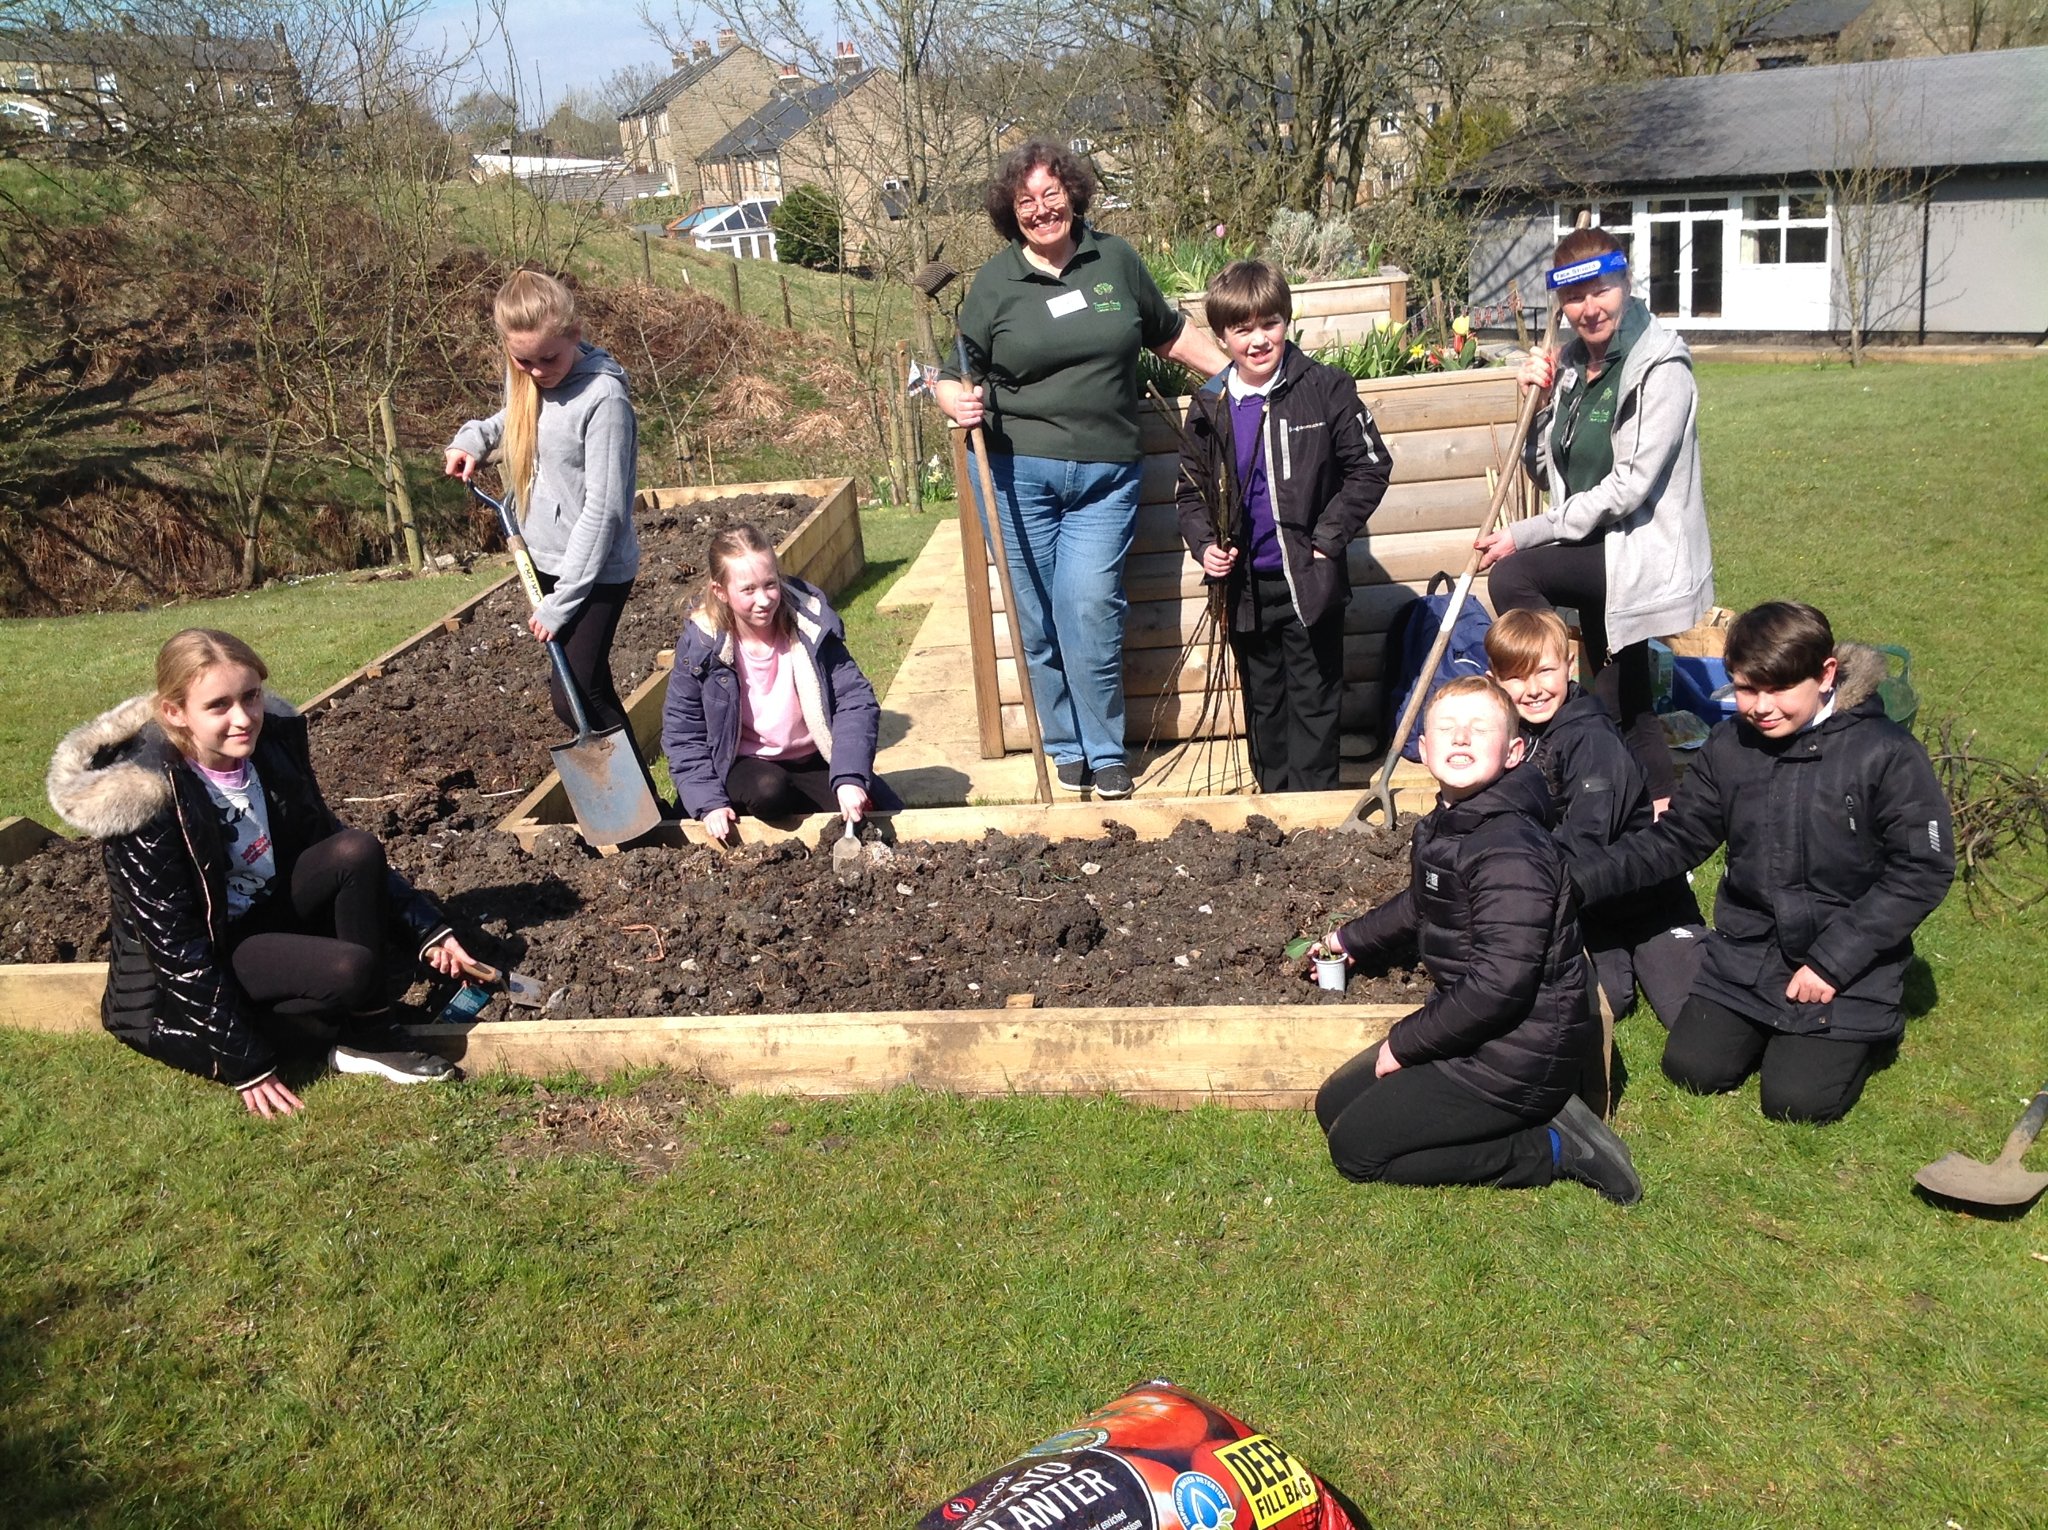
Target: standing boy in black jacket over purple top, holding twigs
1279, 474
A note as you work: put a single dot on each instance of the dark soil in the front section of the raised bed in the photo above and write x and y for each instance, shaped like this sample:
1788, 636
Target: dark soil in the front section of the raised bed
1195, 919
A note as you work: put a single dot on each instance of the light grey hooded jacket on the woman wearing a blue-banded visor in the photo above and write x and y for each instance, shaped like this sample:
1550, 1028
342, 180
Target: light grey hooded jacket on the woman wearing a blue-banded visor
1650, 509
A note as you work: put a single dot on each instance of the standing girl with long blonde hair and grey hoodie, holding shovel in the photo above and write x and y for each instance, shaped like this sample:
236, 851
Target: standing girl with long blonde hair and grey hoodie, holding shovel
566, 445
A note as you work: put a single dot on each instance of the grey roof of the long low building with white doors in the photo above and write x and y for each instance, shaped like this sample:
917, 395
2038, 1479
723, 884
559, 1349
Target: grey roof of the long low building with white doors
1965, 110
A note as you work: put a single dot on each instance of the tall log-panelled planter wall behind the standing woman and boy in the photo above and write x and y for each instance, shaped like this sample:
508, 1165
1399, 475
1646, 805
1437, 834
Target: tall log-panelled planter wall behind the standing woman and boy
1443, 433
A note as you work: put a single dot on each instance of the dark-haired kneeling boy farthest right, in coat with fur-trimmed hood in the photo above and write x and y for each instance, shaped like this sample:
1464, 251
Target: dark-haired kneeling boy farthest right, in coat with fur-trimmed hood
1838, 847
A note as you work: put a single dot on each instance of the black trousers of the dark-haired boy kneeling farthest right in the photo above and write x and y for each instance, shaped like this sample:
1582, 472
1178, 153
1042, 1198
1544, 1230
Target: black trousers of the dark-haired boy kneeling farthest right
1801, 1078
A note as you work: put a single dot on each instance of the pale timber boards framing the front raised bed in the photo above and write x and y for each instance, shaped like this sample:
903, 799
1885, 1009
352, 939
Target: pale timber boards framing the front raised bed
1236, 1056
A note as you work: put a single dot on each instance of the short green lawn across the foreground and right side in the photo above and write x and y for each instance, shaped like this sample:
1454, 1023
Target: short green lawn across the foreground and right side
833, 1314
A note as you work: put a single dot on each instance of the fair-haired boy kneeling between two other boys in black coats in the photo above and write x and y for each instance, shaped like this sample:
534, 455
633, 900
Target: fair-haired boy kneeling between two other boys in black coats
1598, 794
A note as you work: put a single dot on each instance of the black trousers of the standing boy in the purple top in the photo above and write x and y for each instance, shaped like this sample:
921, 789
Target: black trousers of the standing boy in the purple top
1291, 679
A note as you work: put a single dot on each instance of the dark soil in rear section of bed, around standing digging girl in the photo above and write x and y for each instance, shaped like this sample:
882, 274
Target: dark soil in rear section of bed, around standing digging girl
458, 730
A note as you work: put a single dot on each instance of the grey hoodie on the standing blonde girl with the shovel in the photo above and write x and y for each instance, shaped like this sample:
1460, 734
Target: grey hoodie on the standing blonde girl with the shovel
581, 521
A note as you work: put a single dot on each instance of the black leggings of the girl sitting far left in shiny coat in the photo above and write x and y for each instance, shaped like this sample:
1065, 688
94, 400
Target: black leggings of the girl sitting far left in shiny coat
318, 945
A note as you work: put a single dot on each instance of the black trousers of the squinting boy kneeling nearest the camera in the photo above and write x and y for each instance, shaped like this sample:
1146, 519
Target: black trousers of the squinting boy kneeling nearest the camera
1422, 1128
